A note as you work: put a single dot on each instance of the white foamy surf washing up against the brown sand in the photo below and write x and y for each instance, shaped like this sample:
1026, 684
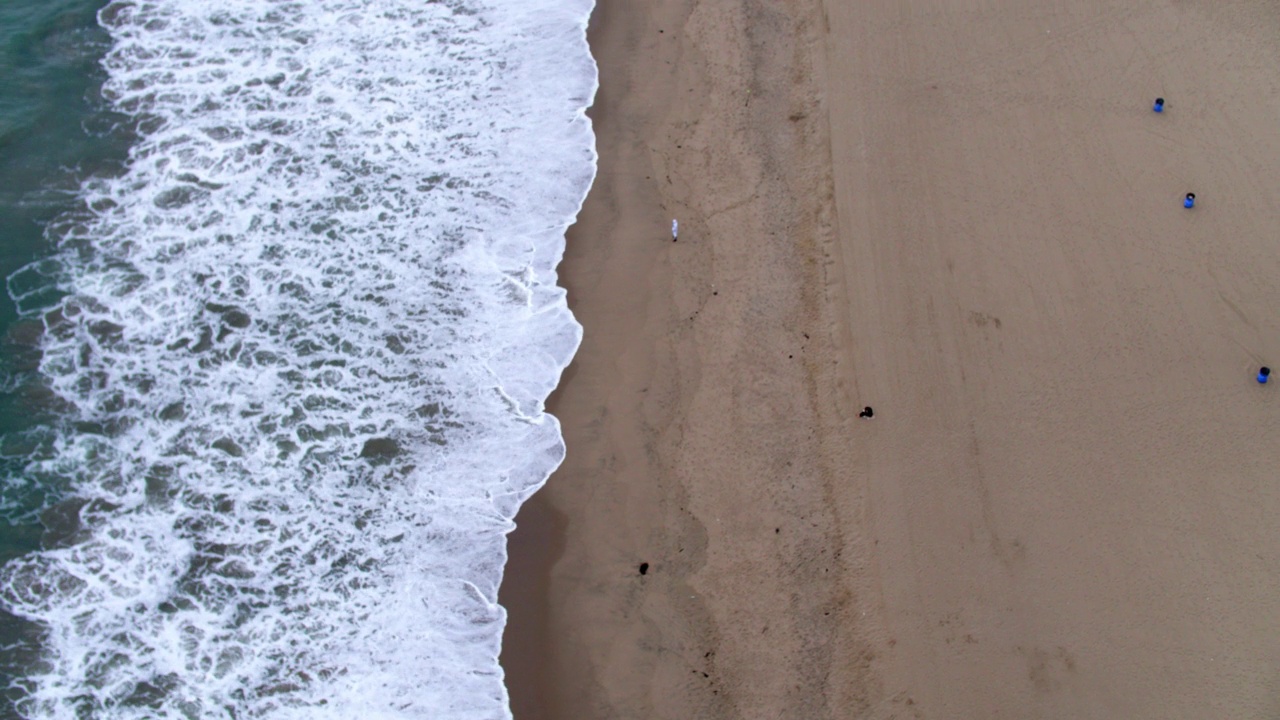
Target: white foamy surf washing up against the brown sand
277, 371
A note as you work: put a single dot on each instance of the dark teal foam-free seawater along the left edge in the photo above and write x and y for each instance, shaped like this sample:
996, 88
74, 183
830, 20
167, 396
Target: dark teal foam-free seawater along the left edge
53, 134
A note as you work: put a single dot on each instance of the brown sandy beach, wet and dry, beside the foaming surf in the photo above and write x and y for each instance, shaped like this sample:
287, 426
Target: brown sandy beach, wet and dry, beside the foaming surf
964, 215
